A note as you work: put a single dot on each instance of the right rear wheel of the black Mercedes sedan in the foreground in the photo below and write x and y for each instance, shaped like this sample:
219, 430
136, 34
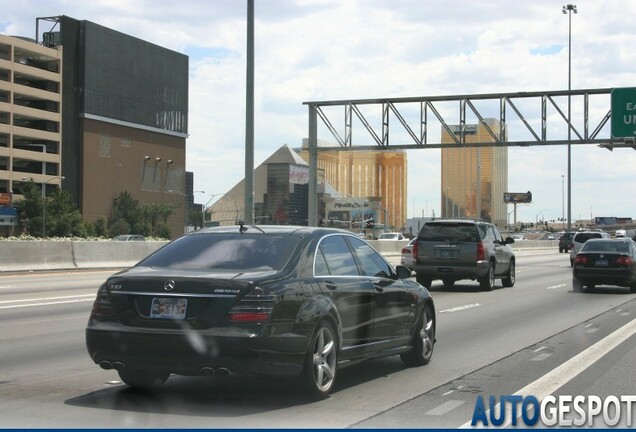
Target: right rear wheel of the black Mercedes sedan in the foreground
319, 372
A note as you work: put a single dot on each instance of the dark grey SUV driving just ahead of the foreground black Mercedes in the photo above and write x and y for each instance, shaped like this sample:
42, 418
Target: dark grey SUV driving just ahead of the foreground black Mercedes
454, 249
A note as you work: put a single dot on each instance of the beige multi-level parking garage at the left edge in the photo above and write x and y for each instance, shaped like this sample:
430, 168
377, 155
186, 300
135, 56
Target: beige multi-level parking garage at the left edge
31, 95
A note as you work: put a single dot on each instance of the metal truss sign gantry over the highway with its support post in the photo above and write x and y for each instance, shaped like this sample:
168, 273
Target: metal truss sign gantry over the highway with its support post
522, 119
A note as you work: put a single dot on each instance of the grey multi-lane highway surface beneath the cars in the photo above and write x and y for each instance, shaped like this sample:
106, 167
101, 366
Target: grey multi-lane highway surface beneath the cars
538, 337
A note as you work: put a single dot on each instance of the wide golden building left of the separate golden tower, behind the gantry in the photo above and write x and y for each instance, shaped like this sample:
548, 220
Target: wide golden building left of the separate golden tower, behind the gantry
381, 175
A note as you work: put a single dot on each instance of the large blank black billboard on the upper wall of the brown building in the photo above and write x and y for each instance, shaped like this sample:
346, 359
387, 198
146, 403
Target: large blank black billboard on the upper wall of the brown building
131, 80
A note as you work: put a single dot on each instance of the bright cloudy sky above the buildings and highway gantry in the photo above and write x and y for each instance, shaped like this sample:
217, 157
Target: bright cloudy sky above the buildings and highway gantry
318, 50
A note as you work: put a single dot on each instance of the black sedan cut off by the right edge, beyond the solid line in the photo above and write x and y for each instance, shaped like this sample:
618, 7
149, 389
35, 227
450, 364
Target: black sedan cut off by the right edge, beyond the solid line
605, 262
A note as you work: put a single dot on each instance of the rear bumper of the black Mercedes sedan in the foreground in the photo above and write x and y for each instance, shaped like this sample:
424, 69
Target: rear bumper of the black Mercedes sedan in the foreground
194, 353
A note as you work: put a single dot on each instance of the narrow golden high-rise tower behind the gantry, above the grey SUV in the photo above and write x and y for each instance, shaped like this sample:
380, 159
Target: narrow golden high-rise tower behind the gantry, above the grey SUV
474, 179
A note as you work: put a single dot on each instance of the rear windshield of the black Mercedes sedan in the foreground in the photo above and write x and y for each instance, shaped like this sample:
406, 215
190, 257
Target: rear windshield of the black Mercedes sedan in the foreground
225, 251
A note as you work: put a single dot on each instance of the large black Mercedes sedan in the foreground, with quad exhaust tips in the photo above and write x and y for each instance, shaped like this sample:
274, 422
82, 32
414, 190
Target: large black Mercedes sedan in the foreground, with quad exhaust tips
282, 301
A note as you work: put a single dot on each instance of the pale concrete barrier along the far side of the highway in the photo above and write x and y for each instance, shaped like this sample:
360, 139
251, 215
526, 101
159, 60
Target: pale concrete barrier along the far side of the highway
36, 255
